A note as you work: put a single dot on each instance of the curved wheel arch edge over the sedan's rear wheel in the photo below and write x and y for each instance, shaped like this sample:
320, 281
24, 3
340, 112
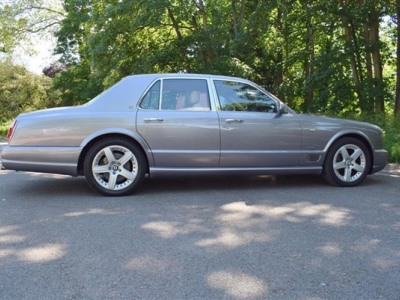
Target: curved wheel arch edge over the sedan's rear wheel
94, 140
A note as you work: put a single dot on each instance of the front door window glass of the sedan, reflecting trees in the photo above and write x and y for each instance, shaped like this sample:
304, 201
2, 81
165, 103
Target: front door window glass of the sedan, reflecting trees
239, 96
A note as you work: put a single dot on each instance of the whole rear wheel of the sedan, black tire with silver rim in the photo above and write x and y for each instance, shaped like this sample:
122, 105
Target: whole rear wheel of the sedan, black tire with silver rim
114, 167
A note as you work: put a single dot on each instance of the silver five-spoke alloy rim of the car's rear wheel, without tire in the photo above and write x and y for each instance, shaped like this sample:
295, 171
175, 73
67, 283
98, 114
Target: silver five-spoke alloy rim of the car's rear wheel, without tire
115, 167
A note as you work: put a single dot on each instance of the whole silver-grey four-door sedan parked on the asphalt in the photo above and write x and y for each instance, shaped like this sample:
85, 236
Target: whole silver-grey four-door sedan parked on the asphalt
182, 124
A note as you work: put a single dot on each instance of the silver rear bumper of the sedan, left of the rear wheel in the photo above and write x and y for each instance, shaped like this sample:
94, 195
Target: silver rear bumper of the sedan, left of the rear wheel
58, 160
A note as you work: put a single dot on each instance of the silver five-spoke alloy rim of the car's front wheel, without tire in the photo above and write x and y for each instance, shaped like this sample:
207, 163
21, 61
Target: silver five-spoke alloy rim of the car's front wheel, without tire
349, 163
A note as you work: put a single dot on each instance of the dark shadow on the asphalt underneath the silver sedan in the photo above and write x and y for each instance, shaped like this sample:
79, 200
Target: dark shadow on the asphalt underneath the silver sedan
45, 185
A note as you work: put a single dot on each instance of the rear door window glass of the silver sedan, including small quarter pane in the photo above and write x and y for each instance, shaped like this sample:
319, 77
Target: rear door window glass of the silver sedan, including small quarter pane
178, 94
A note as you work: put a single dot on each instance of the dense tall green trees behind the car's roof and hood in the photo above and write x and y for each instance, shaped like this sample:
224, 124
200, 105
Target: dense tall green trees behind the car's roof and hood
319, 56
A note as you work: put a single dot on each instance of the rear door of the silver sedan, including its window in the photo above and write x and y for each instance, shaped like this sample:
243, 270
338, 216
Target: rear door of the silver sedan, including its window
176, 120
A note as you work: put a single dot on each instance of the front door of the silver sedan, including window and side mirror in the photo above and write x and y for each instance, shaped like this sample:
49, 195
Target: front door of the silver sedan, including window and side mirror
253, 134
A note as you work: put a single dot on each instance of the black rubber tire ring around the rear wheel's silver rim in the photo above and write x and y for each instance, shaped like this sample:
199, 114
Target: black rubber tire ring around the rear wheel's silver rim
94, 150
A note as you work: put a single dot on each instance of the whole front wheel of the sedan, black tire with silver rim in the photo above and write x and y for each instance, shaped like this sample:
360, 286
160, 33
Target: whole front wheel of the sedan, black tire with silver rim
347, 163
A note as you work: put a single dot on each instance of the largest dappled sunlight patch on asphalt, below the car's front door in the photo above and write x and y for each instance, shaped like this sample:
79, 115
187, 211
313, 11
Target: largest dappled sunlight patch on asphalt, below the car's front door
238, 223
